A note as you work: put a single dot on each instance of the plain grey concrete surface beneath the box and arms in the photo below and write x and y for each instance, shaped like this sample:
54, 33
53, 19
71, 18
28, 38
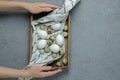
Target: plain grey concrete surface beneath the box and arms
95, 40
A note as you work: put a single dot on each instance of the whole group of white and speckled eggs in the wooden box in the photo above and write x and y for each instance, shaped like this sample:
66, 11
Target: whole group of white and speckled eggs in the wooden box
52, 43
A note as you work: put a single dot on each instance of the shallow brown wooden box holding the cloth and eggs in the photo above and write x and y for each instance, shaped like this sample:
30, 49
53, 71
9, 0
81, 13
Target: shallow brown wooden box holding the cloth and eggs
67, 40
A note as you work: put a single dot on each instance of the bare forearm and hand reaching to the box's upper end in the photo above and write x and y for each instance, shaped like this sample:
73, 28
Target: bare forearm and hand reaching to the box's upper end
34, 8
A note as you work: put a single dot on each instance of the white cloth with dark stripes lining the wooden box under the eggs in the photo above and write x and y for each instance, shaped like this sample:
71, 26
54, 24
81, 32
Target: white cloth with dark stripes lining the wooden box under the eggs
57, 16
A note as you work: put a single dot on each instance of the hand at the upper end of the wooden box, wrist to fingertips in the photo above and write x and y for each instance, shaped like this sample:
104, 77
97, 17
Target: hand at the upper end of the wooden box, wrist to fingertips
38, 7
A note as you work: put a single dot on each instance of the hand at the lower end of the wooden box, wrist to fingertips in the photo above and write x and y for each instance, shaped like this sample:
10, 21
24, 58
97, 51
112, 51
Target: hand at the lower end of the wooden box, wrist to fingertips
39, 72
